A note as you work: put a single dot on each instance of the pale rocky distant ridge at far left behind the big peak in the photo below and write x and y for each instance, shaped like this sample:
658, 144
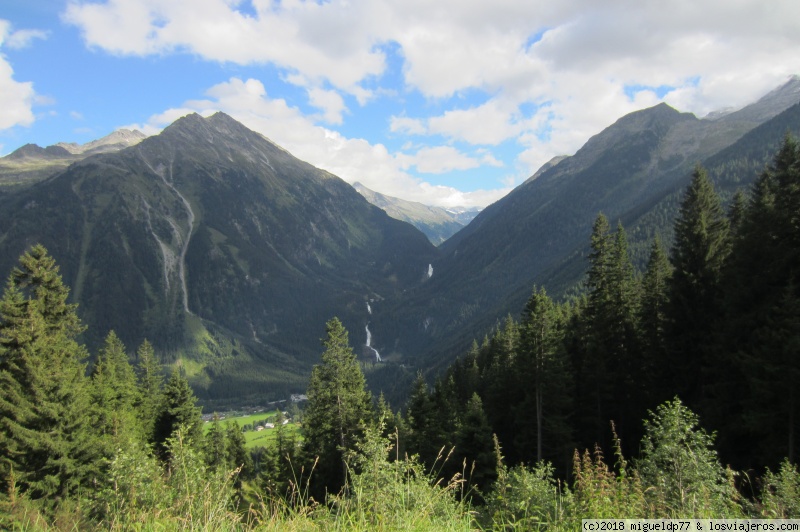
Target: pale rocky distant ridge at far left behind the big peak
32, 163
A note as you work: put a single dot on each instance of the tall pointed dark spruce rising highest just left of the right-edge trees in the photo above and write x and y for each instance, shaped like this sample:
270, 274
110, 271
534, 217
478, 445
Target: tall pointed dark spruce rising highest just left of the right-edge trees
700, 250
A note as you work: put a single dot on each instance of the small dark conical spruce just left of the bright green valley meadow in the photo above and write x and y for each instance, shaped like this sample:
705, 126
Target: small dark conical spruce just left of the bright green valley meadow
177, 409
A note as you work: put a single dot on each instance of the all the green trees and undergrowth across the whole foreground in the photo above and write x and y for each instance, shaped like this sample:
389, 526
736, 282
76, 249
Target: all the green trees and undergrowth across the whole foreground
666, 393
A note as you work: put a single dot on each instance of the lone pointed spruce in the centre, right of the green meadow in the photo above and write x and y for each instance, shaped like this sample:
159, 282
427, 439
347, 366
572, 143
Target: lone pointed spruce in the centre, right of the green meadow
338, 406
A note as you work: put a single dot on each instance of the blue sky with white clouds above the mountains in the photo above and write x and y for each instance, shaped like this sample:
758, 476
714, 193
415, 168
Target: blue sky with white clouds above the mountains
446, 102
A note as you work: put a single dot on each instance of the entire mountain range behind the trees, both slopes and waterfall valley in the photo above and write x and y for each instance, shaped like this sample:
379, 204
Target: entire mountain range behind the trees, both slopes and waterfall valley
229, 254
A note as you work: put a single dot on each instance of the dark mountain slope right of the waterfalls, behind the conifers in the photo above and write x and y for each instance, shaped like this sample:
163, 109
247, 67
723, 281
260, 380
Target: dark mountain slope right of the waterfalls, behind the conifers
634, 171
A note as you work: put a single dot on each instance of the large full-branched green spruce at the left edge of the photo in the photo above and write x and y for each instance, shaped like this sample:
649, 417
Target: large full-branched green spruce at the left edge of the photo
45, 440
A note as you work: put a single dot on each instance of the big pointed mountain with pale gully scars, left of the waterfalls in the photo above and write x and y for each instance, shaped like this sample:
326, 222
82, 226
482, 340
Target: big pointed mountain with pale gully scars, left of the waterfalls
224, 250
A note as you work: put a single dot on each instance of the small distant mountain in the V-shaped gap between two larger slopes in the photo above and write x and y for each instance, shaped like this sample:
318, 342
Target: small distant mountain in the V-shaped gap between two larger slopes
437, 223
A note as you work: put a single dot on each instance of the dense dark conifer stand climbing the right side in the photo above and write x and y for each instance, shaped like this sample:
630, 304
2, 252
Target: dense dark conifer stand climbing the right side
714, 321
